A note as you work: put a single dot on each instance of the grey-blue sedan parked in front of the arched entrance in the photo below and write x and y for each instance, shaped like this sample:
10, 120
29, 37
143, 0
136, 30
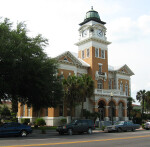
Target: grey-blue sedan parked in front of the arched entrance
122, 126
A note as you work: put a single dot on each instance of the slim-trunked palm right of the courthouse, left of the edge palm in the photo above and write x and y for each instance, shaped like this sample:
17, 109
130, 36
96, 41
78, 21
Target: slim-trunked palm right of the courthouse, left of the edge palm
141, 96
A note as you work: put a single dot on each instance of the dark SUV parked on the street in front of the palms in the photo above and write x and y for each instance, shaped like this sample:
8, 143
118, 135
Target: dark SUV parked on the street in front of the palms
77, 126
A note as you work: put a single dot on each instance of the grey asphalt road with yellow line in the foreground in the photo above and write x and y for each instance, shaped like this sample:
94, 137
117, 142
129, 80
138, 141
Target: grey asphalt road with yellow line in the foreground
139, 138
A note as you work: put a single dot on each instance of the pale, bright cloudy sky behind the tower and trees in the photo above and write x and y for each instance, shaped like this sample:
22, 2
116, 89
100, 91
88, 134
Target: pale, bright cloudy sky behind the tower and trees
127, 23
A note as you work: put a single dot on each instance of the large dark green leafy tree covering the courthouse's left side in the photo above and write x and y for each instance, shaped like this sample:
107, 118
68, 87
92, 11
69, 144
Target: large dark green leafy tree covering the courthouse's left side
27, 73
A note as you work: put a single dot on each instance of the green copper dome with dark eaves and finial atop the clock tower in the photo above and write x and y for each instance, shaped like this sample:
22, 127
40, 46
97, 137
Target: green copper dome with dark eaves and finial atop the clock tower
92, 15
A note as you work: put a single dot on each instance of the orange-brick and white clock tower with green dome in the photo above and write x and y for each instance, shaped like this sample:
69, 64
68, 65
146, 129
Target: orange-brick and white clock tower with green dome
92, 47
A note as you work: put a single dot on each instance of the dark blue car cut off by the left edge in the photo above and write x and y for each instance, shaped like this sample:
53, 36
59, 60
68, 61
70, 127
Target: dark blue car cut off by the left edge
8, 129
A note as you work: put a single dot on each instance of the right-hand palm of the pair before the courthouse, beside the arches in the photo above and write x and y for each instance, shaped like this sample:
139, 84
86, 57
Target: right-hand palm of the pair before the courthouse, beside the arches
86, 89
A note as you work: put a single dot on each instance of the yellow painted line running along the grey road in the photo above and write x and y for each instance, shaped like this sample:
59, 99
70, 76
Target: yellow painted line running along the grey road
77, 141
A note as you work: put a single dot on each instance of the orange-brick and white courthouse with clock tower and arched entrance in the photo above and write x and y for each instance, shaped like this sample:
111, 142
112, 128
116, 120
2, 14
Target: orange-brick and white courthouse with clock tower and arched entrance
112, 84
